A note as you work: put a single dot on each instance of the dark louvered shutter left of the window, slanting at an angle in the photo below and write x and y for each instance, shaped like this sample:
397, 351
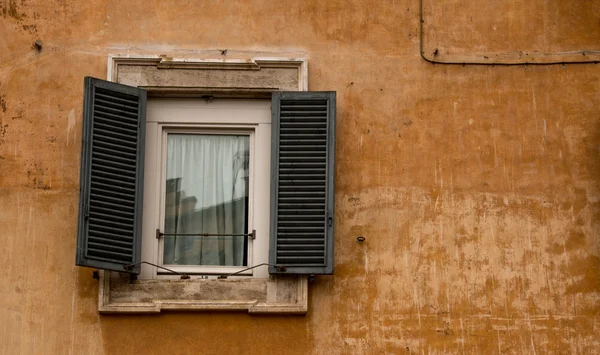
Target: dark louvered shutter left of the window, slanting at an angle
112, 165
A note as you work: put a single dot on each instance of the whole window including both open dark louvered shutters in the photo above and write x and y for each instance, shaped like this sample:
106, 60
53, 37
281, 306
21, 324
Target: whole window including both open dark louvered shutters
136, 169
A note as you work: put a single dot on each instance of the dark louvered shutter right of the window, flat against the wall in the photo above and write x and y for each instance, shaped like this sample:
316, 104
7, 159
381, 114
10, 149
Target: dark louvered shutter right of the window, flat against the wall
302, 182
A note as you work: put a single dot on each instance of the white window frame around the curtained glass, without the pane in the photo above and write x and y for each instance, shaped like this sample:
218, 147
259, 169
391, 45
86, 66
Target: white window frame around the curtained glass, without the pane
219, 116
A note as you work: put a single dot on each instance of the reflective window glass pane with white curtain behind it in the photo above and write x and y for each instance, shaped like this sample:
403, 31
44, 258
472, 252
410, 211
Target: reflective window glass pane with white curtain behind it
206, 192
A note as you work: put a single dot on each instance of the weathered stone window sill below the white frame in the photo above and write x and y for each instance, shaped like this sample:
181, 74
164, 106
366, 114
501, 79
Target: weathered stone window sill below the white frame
275, 295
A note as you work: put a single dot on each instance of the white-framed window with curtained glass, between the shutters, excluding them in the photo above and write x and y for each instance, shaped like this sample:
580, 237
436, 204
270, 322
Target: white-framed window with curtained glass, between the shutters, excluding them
206, 187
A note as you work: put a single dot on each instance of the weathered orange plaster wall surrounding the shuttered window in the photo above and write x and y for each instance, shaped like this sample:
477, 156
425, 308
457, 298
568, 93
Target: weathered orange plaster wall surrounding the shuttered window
477, 188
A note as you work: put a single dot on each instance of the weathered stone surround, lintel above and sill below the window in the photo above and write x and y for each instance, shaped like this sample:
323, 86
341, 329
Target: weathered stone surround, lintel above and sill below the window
184, 77
